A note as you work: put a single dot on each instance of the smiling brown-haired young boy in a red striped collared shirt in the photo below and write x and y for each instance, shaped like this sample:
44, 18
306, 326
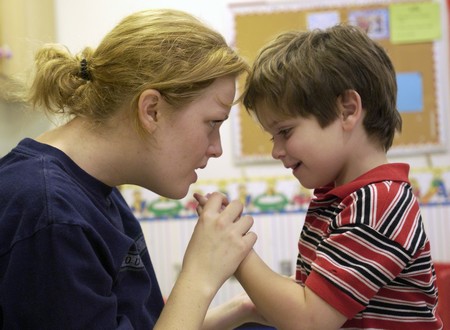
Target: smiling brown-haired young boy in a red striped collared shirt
328, 98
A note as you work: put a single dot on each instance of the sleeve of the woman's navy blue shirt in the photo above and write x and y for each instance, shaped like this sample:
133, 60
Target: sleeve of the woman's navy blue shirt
60, 277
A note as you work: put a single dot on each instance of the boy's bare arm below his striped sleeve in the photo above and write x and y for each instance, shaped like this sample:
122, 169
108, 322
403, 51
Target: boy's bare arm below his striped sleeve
281, 301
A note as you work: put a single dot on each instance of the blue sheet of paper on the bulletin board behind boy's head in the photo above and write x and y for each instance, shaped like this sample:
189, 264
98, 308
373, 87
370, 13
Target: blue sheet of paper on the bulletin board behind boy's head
410, 92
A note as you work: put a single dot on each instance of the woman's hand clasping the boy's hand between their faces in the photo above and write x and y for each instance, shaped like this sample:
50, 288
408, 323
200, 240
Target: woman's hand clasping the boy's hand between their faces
220, 241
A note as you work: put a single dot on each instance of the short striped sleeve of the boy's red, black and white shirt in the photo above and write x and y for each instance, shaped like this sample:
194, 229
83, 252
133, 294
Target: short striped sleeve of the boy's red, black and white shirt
353, 265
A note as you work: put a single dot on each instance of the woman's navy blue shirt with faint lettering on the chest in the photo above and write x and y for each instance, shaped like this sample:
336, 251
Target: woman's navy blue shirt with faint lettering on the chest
72, 255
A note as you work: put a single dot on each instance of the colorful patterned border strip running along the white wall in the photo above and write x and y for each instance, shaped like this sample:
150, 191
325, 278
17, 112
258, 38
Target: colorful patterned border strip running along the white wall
269, 194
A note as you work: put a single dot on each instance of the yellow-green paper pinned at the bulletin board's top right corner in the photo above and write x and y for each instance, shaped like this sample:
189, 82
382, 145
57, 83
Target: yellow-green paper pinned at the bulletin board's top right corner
415, 22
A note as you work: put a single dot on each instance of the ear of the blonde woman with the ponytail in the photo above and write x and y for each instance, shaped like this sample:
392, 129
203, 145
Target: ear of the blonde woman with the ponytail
148, 106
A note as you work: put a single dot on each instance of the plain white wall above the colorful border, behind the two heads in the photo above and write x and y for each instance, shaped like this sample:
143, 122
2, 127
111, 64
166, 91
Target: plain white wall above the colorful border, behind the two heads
84, 22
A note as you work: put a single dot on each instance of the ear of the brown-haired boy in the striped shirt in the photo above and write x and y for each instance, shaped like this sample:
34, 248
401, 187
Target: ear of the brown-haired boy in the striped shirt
350, 108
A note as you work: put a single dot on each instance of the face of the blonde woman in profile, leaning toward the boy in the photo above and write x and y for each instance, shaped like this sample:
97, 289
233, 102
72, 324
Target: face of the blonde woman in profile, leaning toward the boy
186, 138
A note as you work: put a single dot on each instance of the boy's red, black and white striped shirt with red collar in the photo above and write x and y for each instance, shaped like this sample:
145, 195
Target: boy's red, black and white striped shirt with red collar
364, 250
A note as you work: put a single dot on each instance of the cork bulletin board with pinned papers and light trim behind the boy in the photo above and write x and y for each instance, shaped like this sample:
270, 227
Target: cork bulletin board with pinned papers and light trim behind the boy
411, 33
